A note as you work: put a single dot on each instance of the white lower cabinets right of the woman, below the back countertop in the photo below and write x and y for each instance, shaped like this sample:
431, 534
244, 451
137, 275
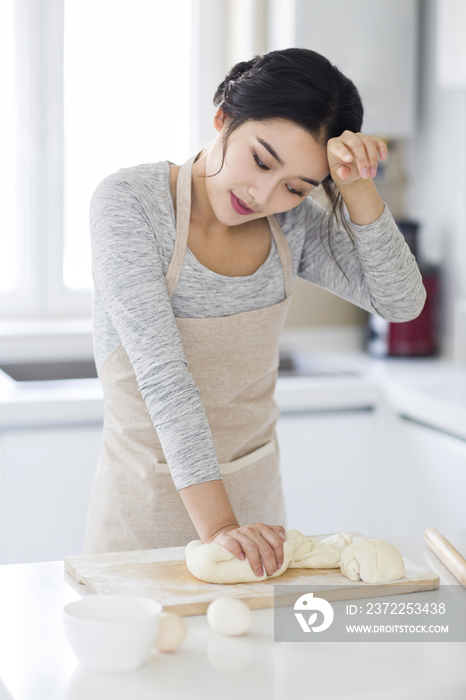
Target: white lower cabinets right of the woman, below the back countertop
373, 472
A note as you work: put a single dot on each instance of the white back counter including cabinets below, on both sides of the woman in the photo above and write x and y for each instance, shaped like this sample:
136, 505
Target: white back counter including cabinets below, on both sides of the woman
398, 422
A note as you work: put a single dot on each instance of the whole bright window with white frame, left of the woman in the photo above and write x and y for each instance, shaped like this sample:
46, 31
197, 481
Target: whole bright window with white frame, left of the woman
87, 88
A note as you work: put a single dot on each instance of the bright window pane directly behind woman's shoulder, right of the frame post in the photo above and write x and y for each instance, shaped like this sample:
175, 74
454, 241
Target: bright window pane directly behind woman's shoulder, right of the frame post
126, 101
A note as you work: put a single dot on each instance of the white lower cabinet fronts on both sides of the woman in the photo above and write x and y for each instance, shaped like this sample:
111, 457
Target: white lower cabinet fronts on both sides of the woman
361, 469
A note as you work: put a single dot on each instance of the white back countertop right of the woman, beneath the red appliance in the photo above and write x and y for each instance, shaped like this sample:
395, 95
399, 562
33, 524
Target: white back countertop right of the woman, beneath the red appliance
429, 390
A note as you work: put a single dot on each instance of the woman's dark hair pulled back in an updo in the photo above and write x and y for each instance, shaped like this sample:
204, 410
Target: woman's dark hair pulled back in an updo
295, 84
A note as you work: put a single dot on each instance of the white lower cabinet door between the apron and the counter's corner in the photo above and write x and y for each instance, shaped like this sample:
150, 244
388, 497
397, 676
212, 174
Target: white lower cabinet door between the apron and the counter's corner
328, 470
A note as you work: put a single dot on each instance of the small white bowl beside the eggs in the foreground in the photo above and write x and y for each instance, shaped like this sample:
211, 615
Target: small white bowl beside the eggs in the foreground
112, 632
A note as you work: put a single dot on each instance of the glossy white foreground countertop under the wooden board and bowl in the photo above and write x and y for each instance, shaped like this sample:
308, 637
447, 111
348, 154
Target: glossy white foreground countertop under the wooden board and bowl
37, 663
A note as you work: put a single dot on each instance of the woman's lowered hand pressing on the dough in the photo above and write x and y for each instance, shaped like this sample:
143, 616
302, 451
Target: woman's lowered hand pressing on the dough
261, 544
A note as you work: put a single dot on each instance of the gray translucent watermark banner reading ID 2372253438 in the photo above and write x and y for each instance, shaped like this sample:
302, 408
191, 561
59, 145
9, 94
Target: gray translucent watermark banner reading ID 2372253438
426, 615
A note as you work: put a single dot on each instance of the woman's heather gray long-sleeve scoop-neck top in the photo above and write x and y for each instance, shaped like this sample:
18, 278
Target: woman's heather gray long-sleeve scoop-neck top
133, 226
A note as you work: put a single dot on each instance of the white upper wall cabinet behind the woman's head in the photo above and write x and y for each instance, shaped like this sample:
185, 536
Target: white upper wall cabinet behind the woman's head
373, 42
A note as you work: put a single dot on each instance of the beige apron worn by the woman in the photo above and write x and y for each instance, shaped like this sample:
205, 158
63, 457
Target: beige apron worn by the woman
233, 360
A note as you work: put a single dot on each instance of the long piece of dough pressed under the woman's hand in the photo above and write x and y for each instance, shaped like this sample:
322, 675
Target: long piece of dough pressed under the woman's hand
215, 564
